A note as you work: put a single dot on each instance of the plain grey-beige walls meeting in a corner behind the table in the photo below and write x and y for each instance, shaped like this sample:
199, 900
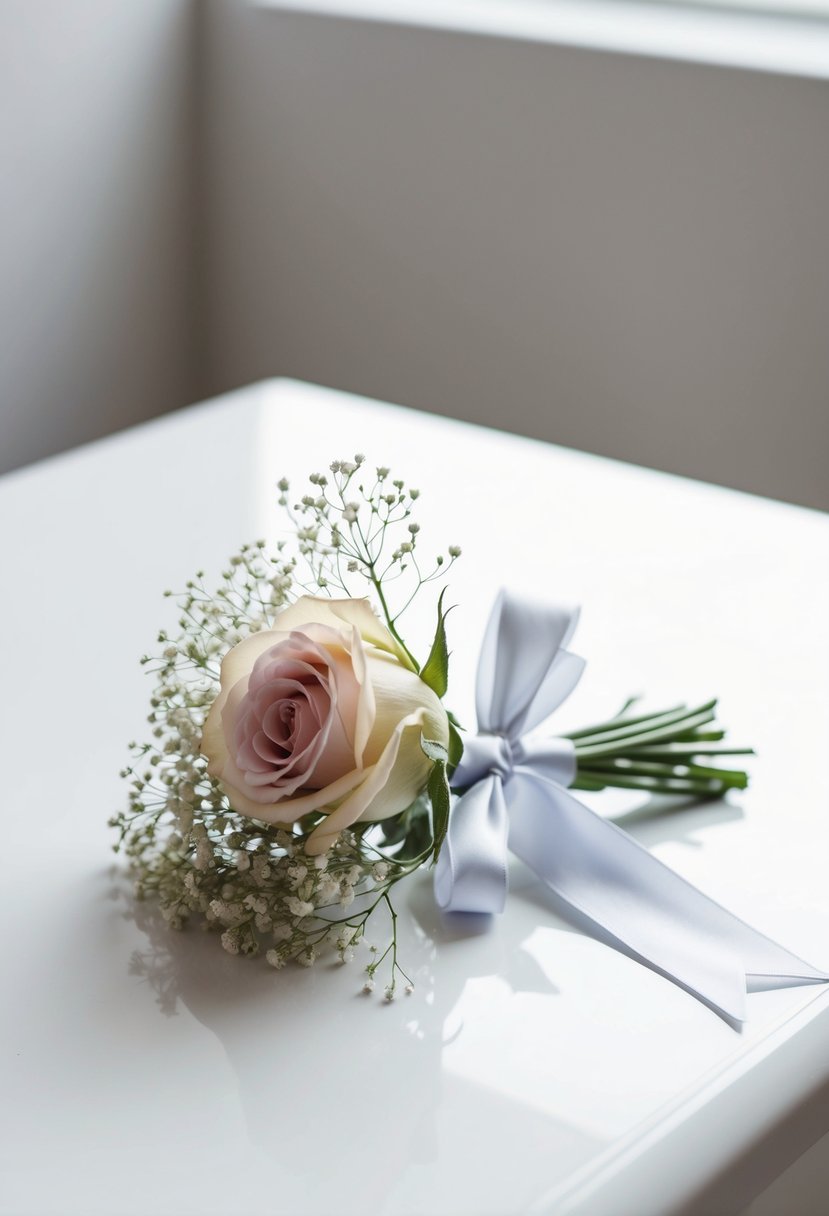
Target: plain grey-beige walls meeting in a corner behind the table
623, 255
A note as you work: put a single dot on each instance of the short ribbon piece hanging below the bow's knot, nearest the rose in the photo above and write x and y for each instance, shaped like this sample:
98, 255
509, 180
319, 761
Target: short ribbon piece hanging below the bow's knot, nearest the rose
471, 875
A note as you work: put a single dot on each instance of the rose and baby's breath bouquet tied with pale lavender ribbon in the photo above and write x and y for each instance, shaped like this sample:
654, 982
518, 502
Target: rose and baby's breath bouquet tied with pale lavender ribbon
303, 761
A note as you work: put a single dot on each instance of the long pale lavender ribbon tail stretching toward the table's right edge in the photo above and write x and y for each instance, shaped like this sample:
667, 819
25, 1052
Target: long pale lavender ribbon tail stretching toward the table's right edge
641, 905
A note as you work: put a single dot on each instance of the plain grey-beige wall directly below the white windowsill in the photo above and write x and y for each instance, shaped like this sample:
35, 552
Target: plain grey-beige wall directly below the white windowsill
622, 255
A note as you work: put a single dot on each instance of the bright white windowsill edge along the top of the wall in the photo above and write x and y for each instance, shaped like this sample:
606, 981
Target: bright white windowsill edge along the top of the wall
759, 42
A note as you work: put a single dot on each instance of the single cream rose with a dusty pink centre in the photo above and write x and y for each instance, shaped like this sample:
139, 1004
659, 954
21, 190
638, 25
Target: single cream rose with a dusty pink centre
322, 713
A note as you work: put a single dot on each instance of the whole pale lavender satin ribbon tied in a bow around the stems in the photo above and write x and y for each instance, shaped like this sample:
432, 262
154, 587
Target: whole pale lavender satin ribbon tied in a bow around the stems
517, 800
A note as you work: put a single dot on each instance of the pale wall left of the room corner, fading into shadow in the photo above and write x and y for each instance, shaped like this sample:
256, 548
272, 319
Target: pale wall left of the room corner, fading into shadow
97, 218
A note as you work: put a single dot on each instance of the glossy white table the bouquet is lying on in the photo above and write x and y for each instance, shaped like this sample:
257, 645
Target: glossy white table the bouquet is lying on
533, 1071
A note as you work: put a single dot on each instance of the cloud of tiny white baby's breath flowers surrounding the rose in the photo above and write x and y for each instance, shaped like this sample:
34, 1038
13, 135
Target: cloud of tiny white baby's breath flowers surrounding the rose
253, 882
